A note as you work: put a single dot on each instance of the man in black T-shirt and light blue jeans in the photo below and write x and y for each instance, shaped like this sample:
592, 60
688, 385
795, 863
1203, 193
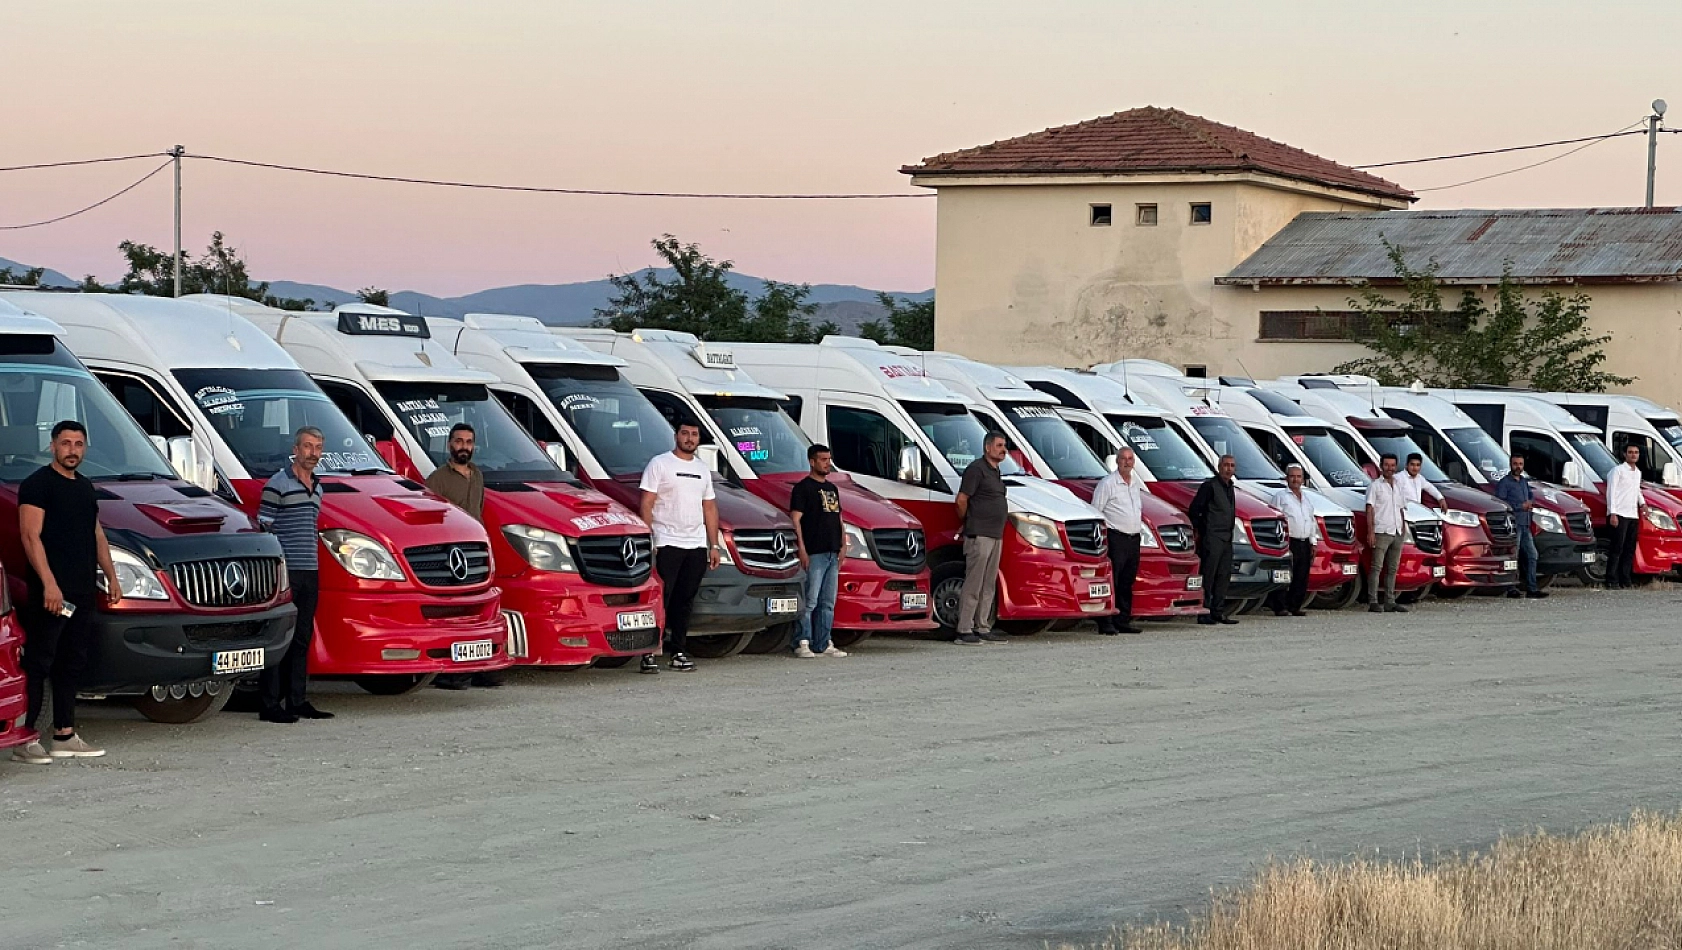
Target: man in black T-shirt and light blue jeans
817, 510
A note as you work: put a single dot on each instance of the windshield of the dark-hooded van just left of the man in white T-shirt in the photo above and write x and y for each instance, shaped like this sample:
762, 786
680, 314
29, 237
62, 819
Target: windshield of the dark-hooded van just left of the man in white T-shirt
618, 425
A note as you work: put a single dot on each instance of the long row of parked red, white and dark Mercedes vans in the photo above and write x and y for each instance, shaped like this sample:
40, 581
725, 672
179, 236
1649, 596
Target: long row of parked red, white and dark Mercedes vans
191, 406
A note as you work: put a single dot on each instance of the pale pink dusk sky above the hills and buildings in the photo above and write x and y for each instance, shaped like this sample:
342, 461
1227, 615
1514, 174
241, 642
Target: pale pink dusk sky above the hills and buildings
753, 97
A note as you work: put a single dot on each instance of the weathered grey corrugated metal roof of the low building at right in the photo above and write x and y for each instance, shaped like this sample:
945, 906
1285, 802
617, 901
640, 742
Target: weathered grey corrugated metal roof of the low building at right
1560, 246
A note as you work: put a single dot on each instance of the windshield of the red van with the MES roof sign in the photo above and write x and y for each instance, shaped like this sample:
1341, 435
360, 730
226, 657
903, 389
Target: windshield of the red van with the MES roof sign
502, 448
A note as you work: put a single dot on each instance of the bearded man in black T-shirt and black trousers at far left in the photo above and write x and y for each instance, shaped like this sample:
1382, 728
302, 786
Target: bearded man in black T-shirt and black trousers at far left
63, 541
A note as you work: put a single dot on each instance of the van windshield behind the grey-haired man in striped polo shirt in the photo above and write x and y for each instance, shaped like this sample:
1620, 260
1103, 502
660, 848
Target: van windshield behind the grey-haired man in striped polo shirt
258, 413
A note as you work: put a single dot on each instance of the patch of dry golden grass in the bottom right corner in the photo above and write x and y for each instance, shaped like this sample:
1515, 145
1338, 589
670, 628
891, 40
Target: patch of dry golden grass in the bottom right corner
1609, 889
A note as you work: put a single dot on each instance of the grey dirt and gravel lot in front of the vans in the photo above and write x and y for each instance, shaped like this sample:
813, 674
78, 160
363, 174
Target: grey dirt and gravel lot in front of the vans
918, 794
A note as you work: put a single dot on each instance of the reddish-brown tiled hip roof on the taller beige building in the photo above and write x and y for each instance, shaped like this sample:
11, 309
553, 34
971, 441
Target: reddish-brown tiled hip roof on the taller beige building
1151, 140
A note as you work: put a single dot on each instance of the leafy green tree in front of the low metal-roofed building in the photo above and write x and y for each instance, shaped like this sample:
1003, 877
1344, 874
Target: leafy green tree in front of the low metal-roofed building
1511, 340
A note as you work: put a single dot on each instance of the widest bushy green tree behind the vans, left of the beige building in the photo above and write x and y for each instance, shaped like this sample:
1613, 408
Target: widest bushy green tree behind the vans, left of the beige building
699, 298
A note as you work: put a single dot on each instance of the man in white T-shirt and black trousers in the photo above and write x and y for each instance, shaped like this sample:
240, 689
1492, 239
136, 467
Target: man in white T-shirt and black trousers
679, 505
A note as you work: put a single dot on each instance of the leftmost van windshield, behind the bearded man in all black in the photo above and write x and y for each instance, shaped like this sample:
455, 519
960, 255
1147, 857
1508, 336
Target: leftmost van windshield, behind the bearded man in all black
41, 386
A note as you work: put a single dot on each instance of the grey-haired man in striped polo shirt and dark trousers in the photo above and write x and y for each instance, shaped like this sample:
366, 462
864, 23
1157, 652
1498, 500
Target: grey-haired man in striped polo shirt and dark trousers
292, 509
